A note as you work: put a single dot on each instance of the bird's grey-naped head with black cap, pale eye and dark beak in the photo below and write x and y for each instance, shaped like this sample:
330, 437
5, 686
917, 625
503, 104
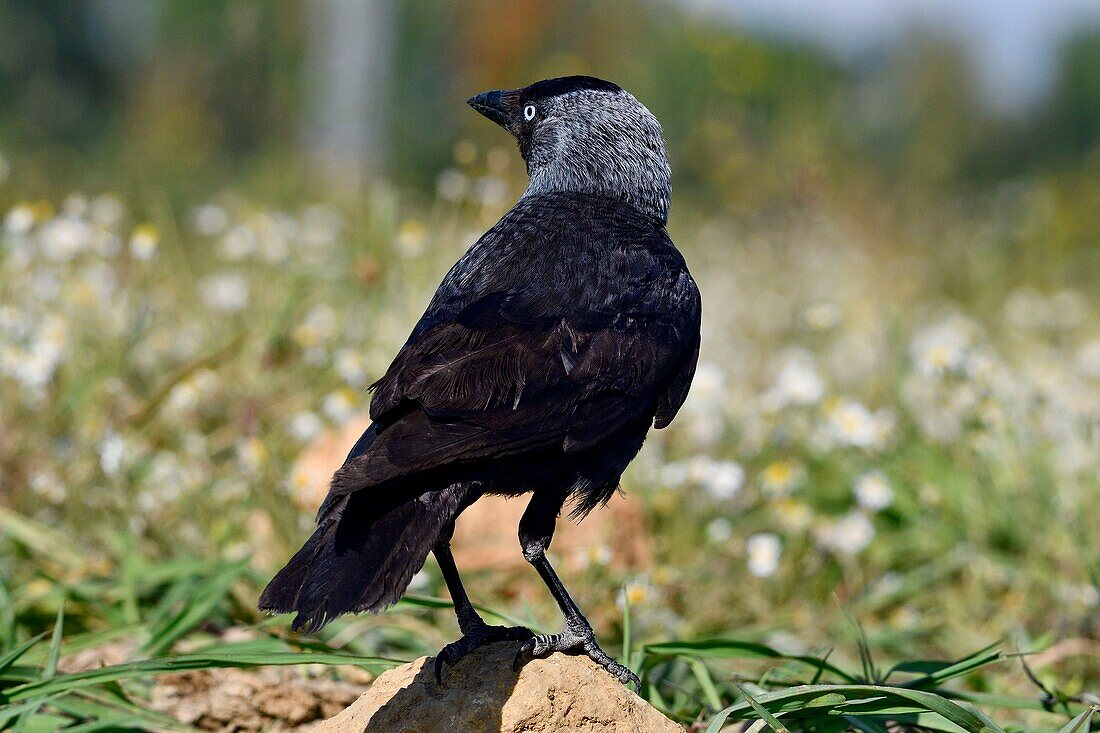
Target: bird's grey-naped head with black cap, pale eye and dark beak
578, 134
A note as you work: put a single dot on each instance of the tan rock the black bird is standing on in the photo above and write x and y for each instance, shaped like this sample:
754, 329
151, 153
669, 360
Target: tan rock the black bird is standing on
483, 695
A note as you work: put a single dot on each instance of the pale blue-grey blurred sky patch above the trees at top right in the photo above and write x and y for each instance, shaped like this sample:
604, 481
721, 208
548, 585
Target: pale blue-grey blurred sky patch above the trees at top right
1014, 43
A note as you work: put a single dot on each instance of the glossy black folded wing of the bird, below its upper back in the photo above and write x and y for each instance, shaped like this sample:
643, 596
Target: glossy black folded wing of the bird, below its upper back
527, 368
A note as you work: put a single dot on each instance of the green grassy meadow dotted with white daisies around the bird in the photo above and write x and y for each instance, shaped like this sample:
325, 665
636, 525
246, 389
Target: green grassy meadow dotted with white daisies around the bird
888, 462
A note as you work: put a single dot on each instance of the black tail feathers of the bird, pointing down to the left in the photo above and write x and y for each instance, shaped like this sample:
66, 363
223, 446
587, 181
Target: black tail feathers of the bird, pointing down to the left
361, 557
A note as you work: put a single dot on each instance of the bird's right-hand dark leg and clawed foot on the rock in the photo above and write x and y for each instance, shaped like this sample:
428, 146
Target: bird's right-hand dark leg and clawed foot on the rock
536, 531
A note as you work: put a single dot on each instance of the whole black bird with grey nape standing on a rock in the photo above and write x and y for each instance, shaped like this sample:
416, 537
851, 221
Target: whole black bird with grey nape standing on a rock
546, 355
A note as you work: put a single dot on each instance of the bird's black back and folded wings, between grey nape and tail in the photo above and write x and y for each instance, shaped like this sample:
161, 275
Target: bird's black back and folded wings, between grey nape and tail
538, 338
